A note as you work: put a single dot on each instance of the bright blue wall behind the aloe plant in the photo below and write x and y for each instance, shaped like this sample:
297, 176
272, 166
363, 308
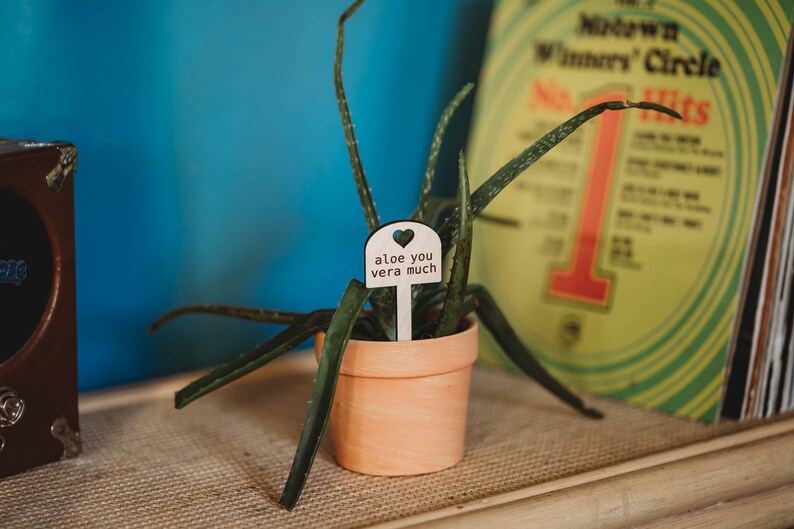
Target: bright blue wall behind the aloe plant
212, 163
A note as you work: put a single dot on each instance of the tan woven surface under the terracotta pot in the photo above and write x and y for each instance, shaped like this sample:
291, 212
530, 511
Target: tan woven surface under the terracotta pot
222, 461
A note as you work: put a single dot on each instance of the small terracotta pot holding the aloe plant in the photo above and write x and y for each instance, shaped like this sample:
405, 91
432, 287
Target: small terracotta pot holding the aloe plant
400, 407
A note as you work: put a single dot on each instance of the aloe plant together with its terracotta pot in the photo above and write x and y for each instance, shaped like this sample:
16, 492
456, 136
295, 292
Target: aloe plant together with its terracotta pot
356, 344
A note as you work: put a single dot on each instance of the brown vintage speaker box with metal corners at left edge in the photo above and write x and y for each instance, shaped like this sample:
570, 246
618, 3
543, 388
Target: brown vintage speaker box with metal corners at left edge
38, 339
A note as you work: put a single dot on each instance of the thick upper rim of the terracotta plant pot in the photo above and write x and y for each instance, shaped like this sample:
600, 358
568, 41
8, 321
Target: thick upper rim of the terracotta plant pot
409, 359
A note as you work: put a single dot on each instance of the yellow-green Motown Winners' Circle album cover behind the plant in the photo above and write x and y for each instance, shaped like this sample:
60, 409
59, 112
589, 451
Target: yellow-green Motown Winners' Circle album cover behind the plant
618, 257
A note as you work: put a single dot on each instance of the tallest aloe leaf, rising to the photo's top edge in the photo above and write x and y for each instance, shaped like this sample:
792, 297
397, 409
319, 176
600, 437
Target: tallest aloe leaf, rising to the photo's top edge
364, 191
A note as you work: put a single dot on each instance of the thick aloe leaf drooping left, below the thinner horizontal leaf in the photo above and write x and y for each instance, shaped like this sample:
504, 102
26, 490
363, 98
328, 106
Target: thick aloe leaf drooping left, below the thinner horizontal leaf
260, 355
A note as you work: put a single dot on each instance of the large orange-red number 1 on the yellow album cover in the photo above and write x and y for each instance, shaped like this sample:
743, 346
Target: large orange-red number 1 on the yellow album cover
580, 281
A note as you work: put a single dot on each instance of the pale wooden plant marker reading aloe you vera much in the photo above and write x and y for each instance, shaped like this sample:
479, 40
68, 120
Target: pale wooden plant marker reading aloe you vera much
400, 254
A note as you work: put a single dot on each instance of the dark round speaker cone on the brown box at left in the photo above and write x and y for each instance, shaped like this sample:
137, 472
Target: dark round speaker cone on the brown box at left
25, 272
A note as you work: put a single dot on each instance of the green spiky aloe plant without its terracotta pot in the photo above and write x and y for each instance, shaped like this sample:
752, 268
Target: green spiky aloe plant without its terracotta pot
456, 299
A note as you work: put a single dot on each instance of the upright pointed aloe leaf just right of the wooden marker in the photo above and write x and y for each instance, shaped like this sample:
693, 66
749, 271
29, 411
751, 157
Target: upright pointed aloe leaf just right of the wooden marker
452, 311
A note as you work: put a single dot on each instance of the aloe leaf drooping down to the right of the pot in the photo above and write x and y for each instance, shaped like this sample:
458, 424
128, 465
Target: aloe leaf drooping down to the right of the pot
493, 319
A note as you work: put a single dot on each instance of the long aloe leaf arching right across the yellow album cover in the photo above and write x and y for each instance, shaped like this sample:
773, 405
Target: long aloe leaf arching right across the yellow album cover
508, 172
